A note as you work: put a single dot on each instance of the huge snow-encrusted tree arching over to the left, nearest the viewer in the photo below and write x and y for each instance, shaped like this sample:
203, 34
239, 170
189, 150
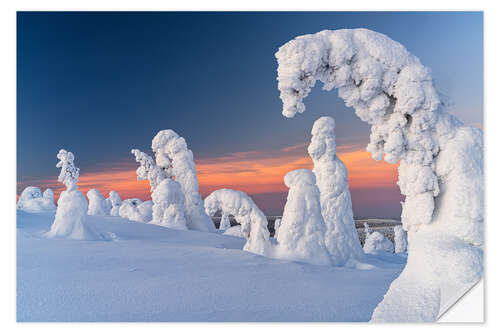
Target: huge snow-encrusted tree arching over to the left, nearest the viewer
441, 159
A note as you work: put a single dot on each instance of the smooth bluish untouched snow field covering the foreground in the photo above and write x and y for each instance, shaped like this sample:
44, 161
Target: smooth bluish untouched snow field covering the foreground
145, 272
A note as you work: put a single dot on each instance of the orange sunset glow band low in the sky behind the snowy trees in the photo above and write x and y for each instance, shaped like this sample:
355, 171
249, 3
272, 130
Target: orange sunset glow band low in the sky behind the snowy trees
251, 172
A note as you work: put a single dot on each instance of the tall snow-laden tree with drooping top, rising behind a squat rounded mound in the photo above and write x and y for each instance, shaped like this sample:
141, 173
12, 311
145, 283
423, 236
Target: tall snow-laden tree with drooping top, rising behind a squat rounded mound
171, 150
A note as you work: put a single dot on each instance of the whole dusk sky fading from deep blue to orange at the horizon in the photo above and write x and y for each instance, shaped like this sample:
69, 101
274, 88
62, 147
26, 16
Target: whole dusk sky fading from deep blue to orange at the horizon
100, 84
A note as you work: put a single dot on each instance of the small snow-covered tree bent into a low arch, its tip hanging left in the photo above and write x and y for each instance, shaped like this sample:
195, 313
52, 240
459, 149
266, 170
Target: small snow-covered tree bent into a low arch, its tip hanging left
245, 211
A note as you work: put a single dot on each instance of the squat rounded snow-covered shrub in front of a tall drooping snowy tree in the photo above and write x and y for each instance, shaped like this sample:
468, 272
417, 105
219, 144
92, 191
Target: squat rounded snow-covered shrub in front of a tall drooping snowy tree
169, 209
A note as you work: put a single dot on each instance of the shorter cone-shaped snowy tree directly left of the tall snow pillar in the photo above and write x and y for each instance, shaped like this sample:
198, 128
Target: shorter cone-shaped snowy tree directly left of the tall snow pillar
302, 231
